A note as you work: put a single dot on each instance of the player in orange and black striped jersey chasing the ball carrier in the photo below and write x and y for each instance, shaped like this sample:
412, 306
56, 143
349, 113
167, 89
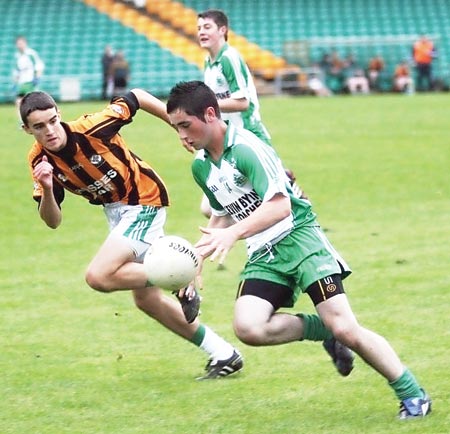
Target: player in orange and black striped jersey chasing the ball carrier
89, 157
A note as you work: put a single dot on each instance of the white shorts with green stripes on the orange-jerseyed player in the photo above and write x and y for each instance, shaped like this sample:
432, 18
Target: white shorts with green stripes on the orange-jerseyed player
137, 225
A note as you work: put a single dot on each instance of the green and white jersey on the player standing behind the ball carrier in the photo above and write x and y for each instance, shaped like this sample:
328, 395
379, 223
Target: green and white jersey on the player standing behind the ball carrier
229, 77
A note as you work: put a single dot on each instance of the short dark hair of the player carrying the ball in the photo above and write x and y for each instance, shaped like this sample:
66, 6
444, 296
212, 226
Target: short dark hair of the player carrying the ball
193, 97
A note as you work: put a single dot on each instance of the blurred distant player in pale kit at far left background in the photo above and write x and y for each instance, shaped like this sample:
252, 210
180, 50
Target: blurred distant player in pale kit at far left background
28, 69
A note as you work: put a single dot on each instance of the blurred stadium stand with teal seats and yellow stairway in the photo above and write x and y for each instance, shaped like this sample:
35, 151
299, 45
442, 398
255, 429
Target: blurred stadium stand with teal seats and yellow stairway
280, 40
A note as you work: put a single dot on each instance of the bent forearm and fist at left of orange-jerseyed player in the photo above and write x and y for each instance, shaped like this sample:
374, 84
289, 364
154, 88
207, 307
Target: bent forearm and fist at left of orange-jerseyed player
49, 209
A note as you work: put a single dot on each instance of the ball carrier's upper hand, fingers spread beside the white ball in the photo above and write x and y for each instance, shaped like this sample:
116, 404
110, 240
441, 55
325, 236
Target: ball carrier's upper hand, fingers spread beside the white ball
216, 243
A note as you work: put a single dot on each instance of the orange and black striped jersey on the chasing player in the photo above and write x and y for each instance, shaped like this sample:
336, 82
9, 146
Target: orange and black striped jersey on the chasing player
97, 164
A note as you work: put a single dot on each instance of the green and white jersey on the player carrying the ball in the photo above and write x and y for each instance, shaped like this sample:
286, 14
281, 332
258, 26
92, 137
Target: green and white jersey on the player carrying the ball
248, 173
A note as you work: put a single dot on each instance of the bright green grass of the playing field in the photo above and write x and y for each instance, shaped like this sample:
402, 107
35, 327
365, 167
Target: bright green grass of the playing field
76, 361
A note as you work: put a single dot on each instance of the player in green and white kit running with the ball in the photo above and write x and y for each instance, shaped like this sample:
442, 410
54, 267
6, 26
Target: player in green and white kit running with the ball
287, 251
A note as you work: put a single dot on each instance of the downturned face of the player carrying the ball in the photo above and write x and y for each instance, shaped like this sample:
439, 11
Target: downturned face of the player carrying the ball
191, 130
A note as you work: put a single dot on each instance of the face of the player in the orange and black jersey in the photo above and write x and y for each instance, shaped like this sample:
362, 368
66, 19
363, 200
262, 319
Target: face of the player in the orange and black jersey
45, 126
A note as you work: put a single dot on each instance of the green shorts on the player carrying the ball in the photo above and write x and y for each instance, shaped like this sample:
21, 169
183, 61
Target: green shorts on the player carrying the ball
297, 261
